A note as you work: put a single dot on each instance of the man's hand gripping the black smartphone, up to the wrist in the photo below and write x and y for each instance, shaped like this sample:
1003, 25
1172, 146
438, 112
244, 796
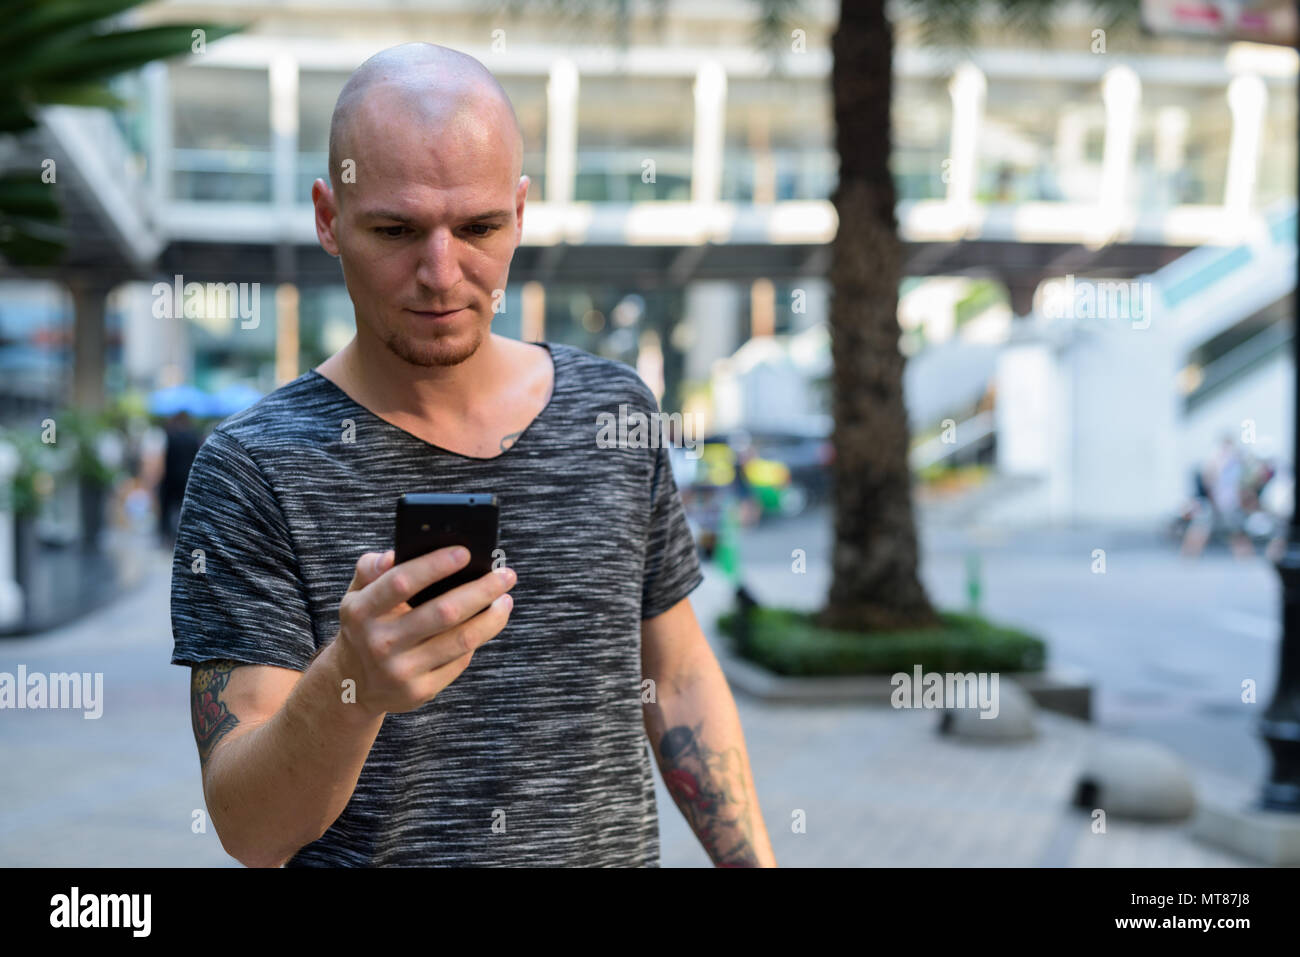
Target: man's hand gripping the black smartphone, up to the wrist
402, 657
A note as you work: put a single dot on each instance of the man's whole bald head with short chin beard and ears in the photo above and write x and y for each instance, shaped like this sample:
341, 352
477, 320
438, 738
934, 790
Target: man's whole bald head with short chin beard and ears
426, 205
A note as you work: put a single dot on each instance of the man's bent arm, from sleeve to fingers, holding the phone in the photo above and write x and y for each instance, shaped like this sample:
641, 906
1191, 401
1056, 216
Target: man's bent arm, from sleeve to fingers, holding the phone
283, 751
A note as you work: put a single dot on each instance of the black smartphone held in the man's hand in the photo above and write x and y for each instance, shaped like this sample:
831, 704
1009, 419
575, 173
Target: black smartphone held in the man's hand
427, 522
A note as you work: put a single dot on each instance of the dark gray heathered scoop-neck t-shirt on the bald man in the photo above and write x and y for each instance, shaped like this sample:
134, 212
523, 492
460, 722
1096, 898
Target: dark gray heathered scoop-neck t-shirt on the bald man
543, 734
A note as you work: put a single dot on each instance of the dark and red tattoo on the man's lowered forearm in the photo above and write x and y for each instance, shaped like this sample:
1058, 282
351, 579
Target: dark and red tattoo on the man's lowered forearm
710, 790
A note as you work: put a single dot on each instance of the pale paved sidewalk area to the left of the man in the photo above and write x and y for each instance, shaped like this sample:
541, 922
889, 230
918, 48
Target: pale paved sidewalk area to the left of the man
115, 791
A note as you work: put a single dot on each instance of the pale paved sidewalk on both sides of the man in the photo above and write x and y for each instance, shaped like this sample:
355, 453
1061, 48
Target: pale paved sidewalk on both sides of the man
877, 786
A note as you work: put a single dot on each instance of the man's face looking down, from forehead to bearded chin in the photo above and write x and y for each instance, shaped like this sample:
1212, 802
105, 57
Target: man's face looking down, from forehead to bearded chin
430, 227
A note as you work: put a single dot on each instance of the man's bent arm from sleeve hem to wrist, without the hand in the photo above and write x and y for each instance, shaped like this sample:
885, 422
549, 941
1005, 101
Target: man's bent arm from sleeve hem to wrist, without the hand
281, 754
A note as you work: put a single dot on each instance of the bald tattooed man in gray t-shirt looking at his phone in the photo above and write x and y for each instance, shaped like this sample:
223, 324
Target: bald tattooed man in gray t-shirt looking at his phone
506, 722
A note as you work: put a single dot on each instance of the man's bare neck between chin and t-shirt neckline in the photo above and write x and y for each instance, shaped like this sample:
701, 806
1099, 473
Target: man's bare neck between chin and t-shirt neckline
391, 387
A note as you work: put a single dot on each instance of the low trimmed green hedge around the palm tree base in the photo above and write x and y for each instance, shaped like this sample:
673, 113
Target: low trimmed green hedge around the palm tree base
788, 643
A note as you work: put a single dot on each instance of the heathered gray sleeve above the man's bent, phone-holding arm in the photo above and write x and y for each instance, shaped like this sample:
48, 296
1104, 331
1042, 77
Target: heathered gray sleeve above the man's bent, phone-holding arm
237, 592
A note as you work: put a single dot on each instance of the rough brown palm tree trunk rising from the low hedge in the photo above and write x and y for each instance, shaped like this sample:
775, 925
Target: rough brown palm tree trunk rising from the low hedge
876, 558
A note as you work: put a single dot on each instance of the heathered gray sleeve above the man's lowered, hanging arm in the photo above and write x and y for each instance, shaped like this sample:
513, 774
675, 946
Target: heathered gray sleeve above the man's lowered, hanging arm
673, 560
